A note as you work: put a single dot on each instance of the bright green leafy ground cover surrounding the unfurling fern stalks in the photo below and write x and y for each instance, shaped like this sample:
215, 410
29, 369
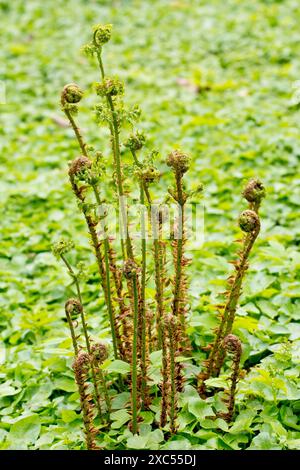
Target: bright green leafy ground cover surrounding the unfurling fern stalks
215, 78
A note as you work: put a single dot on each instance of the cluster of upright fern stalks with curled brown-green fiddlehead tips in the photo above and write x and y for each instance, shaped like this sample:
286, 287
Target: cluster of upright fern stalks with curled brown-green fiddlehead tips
140, 325
